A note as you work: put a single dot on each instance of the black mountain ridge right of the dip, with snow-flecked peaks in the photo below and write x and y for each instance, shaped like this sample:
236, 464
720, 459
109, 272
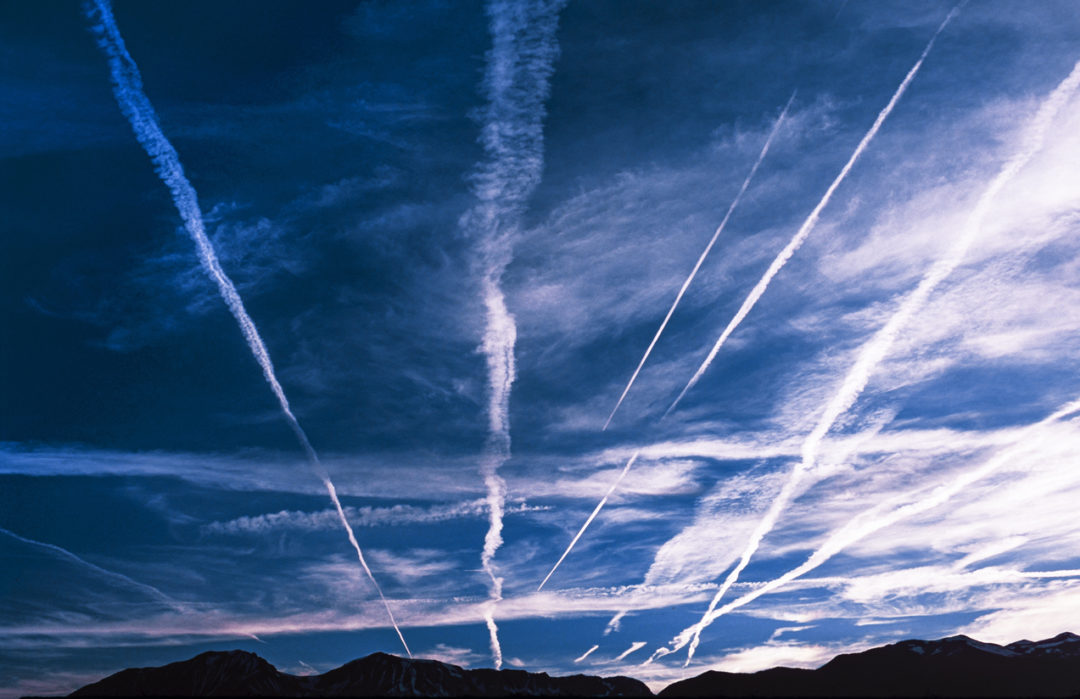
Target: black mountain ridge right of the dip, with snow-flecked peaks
954, 667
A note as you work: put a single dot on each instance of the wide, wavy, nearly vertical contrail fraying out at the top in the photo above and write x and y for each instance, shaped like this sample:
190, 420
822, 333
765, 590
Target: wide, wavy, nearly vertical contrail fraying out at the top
517, 84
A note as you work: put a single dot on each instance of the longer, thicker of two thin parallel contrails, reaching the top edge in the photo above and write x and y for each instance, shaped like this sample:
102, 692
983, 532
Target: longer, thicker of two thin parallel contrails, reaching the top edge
812, 221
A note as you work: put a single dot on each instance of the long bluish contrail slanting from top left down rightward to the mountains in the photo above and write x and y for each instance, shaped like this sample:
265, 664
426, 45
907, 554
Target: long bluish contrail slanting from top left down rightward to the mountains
128, 88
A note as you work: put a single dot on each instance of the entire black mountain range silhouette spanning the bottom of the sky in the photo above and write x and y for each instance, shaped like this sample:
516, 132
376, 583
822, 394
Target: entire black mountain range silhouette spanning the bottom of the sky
955, 667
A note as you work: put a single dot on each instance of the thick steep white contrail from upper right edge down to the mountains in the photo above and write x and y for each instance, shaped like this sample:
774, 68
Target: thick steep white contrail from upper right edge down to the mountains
874, 352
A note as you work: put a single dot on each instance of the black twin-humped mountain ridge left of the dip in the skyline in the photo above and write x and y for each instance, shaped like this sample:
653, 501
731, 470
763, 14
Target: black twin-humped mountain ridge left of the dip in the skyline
246, 675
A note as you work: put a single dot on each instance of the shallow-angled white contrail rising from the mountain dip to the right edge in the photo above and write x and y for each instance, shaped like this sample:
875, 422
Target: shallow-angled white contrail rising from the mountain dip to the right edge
872, 521
